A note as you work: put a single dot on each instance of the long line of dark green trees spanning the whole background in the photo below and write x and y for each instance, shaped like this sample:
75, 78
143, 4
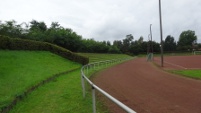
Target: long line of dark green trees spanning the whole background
67, 38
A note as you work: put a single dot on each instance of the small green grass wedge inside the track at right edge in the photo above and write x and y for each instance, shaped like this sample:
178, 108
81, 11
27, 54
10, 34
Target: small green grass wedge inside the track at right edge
189, 73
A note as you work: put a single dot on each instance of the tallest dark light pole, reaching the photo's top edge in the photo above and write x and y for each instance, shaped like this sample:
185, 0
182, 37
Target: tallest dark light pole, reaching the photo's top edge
161, 33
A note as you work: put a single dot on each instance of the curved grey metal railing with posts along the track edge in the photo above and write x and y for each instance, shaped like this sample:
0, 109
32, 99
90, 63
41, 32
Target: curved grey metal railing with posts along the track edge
85, 68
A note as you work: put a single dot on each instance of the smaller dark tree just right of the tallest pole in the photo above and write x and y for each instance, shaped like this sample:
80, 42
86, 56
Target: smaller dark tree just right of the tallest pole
169, 44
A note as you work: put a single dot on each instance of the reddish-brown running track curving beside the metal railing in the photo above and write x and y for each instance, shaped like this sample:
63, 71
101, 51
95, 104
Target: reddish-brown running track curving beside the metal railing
148, 89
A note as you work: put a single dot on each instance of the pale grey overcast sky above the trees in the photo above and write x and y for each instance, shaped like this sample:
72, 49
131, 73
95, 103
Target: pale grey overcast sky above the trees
109, 19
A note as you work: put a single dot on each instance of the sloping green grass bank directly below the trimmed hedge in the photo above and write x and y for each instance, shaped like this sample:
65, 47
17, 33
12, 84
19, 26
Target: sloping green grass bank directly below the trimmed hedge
19, 70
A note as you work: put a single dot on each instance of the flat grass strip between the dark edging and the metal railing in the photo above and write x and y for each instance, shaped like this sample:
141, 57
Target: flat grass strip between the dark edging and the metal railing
64, 95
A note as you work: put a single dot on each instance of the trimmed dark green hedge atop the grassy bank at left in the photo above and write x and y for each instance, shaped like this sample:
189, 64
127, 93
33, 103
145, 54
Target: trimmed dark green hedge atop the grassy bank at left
22, 44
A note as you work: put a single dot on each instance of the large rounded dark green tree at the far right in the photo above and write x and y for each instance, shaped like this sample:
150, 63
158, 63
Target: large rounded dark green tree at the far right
186, 39
